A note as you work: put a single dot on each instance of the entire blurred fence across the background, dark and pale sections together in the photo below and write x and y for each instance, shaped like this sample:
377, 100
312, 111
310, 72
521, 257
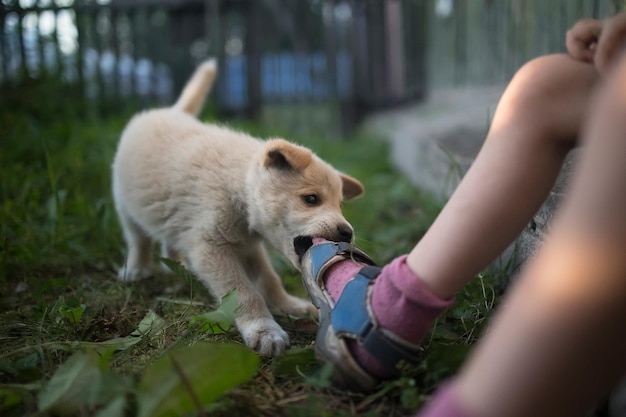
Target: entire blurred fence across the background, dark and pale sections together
362, 55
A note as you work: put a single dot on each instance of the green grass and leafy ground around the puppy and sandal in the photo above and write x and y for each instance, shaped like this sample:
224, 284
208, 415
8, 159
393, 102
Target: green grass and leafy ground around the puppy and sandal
75, 341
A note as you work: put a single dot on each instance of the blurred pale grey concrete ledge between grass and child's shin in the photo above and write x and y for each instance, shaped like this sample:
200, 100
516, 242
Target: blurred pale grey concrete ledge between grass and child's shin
435, 142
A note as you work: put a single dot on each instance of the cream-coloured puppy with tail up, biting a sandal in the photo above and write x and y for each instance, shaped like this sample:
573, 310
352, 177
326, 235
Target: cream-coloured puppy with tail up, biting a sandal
210, 196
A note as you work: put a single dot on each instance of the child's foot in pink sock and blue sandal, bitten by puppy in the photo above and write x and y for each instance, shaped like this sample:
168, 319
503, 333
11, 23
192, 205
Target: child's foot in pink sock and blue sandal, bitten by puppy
371, 318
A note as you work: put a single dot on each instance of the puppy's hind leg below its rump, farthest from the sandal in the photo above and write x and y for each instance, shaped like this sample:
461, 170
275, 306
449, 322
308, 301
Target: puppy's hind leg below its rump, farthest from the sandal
139, 246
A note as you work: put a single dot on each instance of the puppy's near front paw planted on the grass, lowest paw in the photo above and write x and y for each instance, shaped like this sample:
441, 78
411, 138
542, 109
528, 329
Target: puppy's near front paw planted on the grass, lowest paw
264, 335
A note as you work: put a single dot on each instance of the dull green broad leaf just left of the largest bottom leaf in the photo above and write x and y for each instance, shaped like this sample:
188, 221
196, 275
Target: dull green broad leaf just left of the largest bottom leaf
70, 385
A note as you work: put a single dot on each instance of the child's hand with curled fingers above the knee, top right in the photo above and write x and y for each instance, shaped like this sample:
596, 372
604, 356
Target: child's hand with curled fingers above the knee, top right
597, 41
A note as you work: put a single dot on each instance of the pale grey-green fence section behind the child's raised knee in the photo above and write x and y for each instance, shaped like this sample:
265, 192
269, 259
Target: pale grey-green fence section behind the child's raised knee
484, 42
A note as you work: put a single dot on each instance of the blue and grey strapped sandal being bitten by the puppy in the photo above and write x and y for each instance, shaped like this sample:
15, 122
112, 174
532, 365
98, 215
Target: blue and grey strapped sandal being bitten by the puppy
351, 317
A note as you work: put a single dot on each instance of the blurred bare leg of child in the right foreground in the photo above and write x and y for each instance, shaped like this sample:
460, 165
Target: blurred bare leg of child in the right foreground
558, 344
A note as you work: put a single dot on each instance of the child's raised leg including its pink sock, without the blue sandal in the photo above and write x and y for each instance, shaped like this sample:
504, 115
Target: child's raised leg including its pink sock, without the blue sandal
535, 125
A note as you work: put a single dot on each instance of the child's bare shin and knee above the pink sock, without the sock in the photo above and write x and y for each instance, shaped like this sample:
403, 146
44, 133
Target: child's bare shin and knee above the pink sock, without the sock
535, 125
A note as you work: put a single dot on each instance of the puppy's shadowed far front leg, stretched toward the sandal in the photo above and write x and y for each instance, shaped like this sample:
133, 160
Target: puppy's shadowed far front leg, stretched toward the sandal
270, 285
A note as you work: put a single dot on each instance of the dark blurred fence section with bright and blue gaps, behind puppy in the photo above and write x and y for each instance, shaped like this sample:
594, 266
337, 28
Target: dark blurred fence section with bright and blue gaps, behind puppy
270, 51
